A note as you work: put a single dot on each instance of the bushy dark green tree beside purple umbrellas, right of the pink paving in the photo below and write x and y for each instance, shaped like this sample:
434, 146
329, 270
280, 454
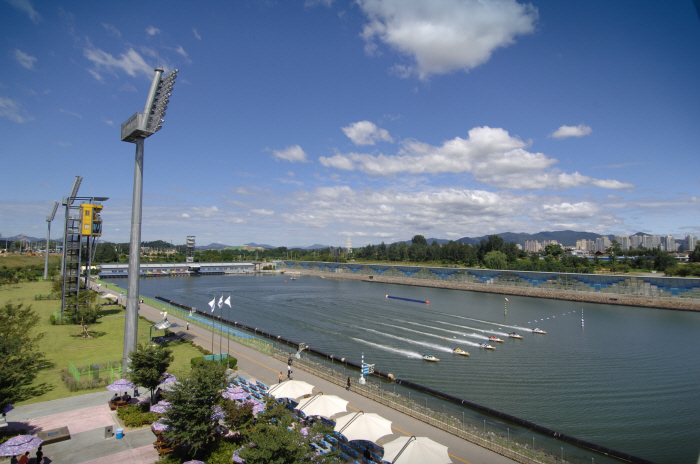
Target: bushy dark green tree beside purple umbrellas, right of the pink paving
191, 413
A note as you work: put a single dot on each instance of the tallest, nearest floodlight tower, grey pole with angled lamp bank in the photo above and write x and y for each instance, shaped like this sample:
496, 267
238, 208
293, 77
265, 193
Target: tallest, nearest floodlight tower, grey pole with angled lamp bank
135, 129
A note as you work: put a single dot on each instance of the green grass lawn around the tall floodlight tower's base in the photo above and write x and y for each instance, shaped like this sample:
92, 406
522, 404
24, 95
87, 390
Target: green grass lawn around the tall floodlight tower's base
63, 343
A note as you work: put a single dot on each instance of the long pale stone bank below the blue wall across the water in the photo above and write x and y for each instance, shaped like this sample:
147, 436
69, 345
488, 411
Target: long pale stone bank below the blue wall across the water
587, 297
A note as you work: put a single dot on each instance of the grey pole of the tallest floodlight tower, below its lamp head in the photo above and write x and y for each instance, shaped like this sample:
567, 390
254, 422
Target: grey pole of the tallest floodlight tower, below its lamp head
131, 327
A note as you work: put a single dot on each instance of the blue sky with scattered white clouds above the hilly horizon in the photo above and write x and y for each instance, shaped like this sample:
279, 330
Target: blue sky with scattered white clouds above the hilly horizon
293, 123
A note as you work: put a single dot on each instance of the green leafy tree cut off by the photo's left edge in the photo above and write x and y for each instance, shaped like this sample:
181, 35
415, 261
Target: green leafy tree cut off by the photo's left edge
20, 358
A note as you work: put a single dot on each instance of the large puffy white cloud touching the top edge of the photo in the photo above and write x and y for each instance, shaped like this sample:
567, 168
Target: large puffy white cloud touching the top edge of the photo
440, 37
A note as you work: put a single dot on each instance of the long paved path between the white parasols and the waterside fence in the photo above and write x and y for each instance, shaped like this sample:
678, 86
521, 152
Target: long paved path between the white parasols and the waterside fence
252, 363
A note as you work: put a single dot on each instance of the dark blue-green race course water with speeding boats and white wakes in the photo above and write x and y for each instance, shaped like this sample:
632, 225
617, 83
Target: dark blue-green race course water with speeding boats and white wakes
629, 380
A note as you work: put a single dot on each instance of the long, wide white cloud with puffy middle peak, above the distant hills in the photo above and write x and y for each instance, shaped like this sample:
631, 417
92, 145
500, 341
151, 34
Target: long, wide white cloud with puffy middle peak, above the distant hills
491, 155
